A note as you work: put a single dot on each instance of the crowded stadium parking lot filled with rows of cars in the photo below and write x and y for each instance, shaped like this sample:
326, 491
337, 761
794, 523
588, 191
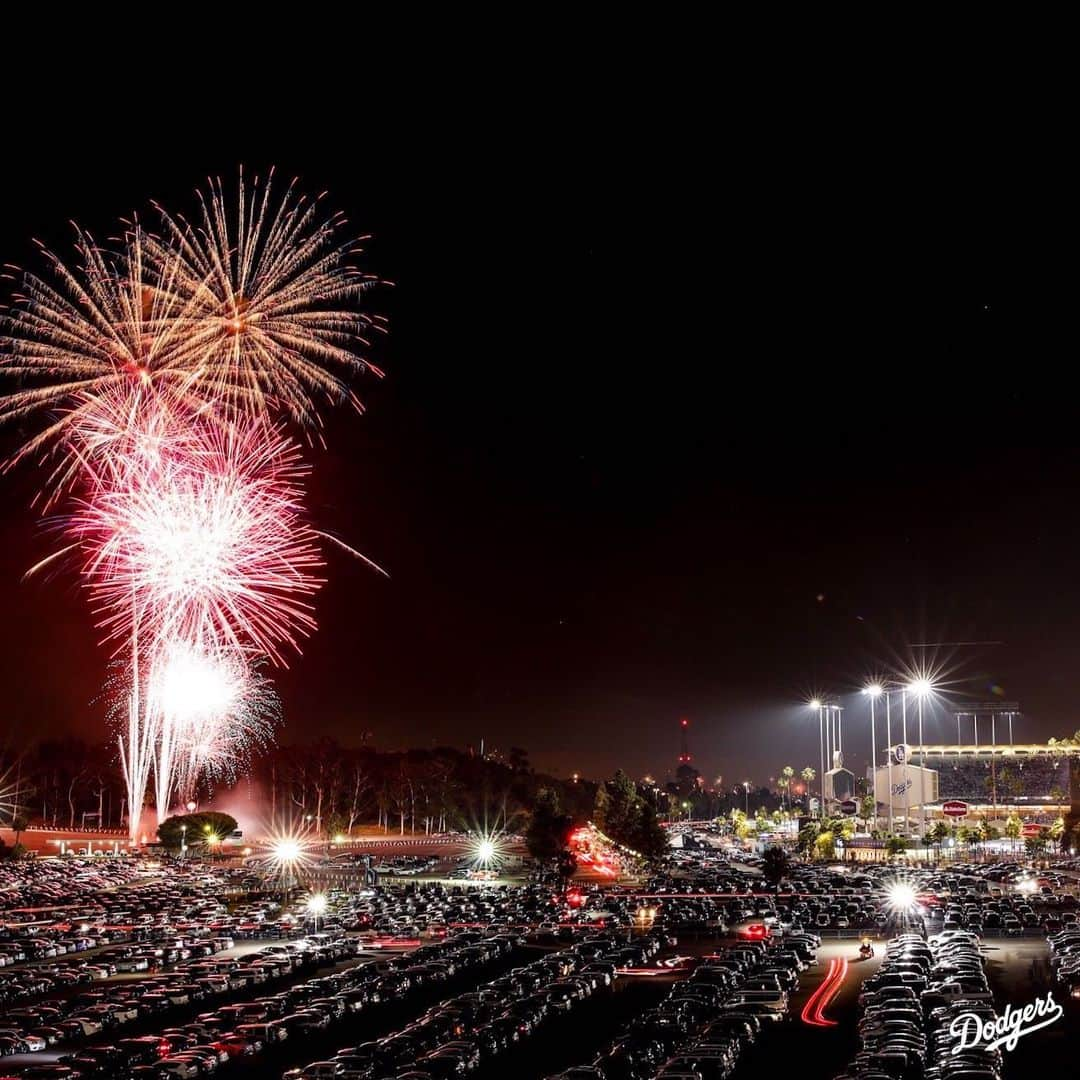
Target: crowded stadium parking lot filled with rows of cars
129, 967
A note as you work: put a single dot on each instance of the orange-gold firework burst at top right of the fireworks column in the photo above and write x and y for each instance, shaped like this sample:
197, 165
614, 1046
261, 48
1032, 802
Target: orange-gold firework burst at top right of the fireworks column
272, 293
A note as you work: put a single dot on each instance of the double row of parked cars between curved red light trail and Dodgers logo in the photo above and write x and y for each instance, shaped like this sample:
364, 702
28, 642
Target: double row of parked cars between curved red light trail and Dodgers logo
909, 1007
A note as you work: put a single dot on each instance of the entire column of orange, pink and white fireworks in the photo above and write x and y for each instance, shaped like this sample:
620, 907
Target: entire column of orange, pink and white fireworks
163, 363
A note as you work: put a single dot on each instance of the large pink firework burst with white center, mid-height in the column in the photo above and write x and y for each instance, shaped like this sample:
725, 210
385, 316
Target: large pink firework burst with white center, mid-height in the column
202, 541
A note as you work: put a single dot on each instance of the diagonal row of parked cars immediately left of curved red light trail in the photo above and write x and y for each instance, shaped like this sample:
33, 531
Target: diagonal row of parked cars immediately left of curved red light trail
709, 1022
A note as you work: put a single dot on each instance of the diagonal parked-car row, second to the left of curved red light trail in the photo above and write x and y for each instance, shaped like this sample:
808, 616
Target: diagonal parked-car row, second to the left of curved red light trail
465, 1033
